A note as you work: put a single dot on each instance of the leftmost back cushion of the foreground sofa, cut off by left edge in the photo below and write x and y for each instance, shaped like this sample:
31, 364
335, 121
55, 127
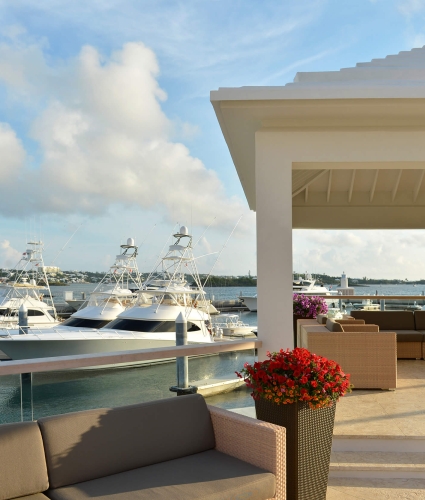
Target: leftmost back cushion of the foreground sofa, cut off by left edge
22, 464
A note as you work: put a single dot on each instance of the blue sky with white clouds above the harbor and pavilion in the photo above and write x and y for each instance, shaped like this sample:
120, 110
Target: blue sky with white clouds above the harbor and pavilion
107, 131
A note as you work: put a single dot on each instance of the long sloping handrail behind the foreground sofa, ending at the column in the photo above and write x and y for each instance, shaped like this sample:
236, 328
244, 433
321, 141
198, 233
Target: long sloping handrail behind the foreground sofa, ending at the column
112, 358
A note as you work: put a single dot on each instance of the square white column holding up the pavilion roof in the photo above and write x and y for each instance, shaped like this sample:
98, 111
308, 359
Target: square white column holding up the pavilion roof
273, 177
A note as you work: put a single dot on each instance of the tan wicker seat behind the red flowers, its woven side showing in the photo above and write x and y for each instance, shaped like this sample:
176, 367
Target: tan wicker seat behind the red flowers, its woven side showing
368, 355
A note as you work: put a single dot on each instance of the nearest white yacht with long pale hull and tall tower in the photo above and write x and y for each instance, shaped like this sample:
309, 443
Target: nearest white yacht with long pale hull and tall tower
149, 323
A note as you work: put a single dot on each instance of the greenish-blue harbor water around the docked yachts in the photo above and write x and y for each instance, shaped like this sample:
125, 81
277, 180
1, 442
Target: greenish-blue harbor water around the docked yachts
61, 392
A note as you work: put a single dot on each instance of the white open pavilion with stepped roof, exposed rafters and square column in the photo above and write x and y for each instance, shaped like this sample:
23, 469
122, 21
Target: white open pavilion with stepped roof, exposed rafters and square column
332, 150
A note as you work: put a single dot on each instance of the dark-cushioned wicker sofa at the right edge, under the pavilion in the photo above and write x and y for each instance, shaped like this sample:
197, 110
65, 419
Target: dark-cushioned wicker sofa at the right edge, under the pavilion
408, 325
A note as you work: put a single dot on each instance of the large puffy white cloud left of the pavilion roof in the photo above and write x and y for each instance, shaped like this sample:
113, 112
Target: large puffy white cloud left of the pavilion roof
104, 140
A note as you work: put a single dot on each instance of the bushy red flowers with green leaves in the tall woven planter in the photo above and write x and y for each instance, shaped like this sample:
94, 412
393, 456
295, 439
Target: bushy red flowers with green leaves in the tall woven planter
298, 375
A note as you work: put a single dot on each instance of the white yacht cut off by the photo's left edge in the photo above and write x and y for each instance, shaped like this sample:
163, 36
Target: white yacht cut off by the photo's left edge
27, 284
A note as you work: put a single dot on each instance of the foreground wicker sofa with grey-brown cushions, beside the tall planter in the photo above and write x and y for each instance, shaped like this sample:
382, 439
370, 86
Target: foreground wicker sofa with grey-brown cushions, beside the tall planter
177, 448
